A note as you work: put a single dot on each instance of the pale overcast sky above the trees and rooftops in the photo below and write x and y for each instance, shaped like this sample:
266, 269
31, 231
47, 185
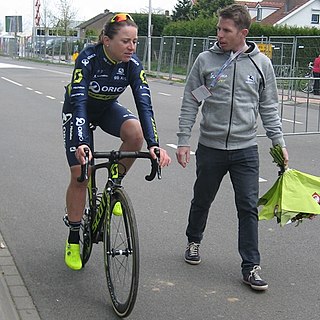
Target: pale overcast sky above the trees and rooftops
85, 9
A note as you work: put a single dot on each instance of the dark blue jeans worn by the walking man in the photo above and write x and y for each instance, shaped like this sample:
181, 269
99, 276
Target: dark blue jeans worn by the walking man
243, 167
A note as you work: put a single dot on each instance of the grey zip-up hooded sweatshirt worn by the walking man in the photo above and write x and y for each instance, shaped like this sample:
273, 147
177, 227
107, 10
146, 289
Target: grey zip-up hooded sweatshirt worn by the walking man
246, 88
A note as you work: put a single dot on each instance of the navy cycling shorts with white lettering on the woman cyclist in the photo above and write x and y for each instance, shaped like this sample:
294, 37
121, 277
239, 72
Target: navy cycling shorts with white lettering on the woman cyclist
109, 120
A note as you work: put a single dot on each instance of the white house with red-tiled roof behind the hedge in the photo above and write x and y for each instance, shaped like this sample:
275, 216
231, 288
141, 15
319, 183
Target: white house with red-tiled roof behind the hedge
300, 13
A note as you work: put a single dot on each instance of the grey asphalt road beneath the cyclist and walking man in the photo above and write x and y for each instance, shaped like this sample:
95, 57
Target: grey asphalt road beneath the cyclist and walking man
34, 176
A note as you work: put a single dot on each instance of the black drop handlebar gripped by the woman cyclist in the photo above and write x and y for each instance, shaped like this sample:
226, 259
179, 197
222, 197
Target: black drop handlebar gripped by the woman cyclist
115, 156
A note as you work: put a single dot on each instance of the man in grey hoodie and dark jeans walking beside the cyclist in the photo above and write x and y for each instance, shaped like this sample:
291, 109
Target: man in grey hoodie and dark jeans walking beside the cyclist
229, 82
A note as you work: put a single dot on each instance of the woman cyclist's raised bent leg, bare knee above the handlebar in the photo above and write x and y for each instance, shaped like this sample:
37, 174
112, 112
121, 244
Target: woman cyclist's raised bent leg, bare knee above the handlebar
121, 122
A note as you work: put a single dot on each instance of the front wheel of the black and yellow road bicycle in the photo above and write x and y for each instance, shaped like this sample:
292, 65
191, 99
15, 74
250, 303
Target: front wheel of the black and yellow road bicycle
121, 253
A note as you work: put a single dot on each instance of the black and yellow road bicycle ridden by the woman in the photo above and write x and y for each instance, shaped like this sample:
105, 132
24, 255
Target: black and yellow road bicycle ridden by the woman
109, 217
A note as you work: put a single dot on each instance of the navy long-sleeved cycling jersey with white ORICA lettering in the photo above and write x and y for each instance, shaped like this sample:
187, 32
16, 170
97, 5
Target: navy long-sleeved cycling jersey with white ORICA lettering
98, 81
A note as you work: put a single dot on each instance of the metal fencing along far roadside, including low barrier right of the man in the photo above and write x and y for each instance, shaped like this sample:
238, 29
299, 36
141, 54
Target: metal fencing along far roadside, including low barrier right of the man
172, 58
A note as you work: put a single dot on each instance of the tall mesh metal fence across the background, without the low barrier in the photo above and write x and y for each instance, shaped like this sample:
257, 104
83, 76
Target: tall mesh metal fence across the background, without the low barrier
171, 56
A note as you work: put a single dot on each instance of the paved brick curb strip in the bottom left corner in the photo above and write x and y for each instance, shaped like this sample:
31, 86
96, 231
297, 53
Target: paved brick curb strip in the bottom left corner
15, 300
